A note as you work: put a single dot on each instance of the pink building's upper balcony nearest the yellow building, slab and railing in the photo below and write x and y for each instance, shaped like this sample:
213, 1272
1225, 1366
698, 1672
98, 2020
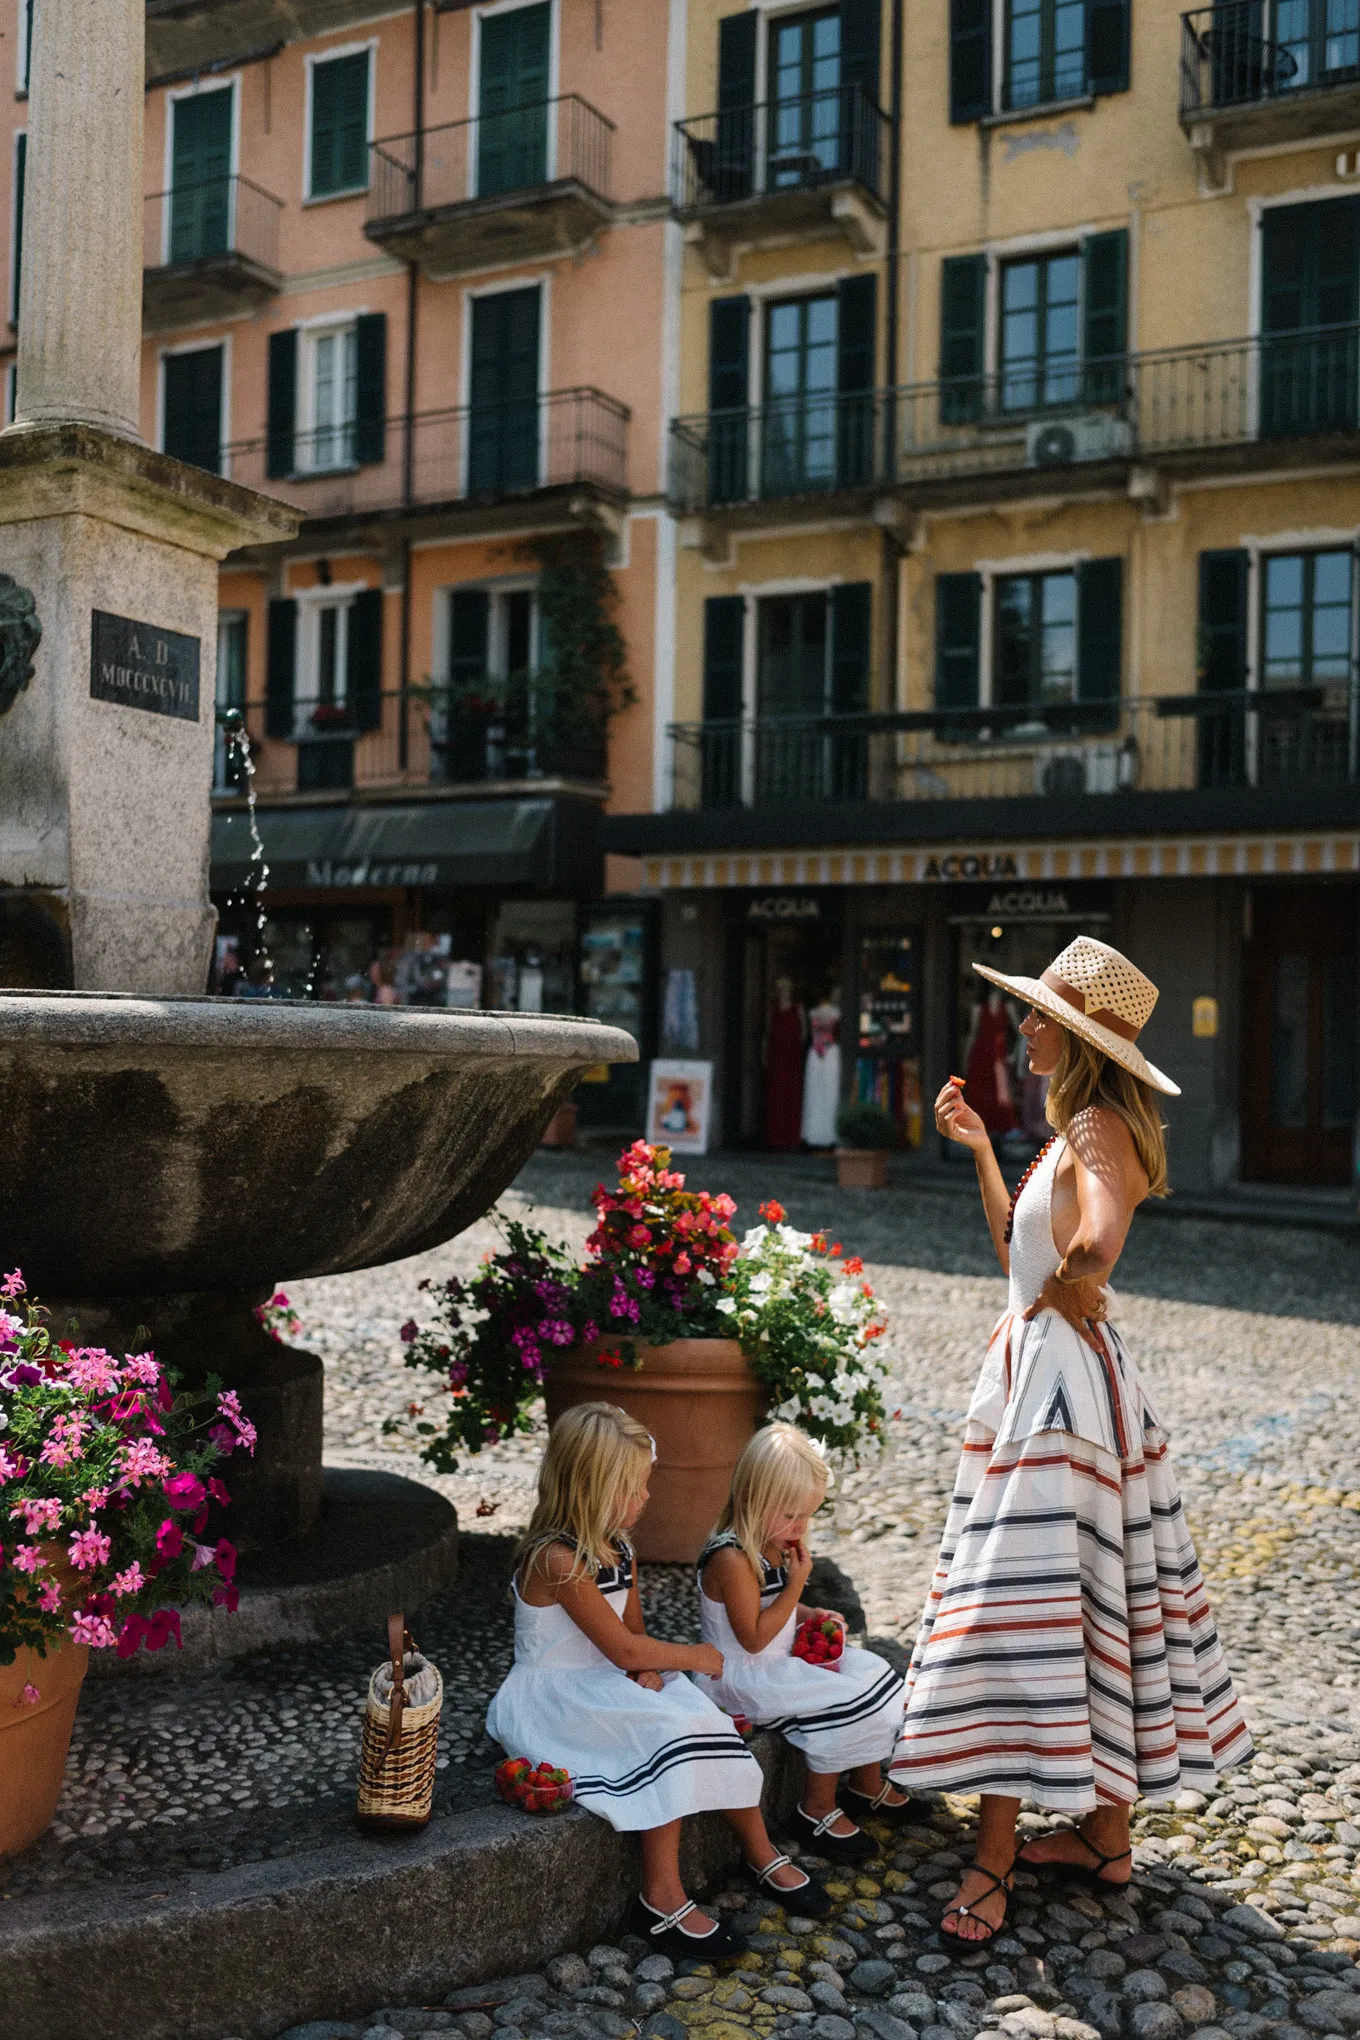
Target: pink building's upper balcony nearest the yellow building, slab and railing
509, 187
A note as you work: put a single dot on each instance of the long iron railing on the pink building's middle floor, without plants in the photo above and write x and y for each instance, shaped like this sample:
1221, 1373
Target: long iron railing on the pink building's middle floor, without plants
476, 454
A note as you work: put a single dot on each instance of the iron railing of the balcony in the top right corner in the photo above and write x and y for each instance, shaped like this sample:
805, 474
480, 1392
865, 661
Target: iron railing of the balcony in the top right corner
1247, 52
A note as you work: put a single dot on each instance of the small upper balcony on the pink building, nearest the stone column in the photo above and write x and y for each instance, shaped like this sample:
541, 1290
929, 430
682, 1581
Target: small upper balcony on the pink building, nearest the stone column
209, 252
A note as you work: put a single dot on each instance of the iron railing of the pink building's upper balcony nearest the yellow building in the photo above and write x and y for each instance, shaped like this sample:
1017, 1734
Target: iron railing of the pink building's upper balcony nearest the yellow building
494, 156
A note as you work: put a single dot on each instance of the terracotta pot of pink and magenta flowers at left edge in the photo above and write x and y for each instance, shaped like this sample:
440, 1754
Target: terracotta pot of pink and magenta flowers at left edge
107, 1478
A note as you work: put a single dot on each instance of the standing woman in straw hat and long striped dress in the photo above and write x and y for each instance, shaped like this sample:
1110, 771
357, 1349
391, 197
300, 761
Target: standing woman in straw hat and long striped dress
1067, 1651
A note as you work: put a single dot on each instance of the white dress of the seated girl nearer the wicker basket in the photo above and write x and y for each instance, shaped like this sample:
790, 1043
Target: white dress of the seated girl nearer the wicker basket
639, 1759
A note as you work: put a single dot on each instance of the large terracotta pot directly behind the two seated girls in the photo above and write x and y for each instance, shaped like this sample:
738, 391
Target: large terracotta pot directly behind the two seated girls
700, 1402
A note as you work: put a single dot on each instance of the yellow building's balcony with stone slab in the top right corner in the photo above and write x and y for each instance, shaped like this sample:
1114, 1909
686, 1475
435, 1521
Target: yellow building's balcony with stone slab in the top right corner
1261, 72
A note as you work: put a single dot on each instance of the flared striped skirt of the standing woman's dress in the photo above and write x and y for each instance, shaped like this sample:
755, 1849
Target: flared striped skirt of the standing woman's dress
1067, 1651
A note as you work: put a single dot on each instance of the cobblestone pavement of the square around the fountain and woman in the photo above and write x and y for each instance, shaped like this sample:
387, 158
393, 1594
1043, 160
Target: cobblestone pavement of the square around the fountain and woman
1245, 1915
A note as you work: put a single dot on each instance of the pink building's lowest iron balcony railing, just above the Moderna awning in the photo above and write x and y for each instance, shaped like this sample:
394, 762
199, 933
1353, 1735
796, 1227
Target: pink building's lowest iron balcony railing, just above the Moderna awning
427, 737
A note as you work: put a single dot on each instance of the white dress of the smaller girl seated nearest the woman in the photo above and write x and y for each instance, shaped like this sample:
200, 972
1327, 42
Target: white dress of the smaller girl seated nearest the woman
839, 1717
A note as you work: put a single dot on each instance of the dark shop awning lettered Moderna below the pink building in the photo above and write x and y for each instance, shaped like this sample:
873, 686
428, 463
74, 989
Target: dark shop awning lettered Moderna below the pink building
484, 844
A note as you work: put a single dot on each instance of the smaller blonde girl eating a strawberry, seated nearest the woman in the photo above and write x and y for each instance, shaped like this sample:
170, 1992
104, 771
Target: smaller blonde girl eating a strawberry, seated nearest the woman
751, 1574
